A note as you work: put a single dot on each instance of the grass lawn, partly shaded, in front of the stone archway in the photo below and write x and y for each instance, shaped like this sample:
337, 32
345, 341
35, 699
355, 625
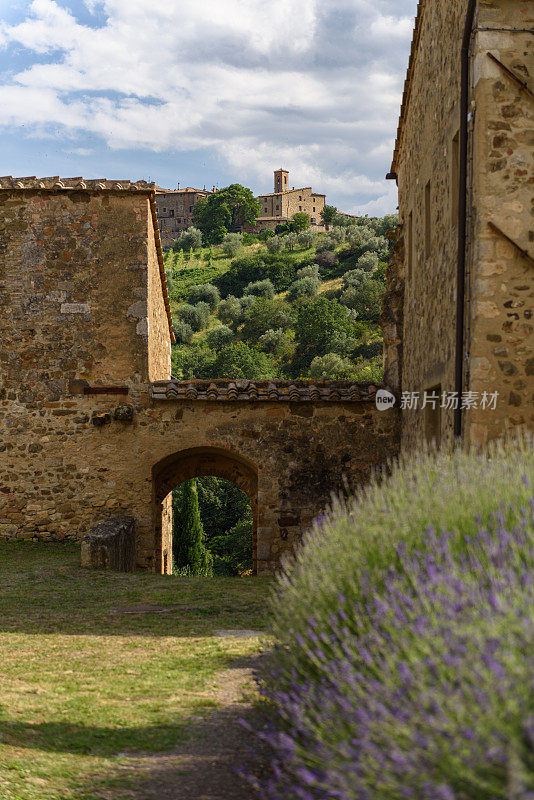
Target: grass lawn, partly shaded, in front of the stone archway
86, 680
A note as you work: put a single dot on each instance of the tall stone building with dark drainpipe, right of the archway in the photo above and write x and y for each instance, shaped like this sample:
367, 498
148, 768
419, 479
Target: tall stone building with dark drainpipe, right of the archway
458, 313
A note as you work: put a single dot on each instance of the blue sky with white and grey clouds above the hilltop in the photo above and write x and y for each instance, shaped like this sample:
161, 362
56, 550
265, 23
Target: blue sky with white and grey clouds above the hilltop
207, 92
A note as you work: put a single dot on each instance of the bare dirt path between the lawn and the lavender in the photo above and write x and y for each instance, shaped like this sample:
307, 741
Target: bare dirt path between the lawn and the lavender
203, 768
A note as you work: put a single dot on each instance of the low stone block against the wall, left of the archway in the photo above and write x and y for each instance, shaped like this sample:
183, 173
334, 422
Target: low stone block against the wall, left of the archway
110, 545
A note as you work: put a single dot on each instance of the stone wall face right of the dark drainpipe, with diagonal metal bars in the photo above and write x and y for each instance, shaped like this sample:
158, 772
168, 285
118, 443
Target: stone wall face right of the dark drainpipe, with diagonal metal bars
501, 290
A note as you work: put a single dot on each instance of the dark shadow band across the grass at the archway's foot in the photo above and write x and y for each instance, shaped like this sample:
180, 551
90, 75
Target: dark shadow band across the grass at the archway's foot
44, 591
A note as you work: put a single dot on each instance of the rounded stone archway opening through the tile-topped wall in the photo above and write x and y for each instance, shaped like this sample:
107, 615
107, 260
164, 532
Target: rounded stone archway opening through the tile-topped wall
198, 462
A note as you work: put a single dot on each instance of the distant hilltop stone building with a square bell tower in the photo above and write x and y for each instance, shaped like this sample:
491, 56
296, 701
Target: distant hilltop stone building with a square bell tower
279, 207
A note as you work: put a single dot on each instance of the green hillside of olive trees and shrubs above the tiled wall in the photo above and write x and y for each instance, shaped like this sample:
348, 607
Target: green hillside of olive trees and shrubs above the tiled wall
290, 306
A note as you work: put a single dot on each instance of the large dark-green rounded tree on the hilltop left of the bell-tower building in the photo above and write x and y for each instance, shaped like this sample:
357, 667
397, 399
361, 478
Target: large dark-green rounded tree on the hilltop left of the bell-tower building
225, 210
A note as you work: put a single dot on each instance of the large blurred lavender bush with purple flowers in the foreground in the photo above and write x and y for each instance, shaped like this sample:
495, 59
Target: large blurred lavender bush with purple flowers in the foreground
407, 669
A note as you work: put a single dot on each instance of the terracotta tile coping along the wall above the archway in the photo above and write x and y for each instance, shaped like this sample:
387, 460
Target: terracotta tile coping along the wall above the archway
266, 390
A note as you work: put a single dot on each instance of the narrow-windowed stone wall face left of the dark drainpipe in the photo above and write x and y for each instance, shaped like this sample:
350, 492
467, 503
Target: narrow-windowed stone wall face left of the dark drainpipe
432, 121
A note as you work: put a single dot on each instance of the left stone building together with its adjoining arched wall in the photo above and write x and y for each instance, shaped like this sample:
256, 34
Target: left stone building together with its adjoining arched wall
91, 423
